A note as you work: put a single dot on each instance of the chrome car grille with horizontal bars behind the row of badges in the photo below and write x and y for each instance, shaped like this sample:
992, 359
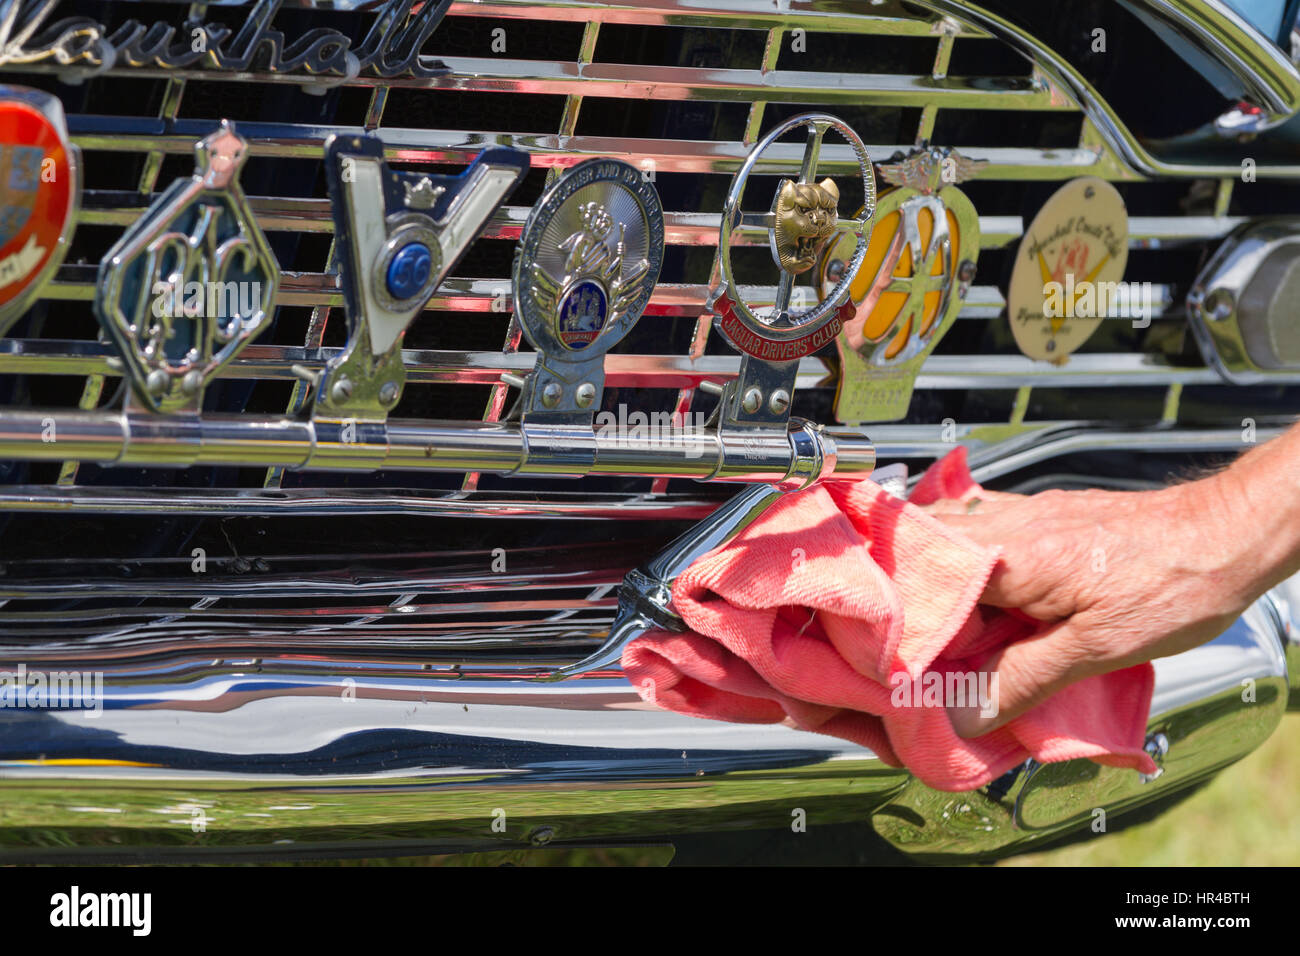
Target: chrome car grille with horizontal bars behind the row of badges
302, 560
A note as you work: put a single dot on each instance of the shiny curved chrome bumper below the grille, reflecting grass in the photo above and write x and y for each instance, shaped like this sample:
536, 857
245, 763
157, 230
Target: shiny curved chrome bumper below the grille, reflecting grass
193, 758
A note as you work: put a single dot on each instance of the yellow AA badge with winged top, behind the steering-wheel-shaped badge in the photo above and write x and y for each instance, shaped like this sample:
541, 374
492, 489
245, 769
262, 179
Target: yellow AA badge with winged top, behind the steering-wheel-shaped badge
918, 270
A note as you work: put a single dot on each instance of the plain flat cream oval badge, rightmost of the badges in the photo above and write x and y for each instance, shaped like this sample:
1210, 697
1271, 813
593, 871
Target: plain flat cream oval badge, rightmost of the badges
1071, 259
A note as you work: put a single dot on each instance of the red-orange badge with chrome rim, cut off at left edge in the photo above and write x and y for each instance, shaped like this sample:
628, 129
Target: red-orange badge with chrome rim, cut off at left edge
38, 196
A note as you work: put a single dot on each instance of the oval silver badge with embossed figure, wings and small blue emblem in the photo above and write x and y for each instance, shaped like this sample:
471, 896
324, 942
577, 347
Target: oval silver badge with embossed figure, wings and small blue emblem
587, 263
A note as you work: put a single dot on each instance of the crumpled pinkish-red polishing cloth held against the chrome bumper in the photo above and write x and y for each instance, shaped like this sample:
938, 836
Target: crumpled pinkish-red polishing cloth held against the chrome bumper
809, 616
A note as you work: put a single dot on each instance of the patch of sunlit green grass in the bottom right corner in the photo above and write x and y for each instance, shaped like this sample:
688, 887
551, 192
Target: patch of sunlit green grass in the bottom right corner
1249, 816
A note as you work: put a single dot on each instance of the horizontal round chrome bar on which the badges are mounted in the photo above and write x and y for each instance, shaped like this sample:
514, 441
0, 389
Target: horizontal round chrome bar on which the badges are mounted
768, 456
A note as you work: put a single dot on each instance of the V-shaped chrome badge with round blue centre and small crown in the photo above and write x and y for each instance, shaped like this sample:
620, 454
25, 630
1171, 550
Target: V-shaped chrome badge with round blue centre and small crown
397, 236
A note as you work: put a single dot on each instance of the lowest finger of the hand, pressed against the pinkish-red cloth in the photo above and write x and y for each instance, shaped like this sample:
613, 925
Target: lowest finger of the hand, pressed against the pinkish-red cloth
1024, 676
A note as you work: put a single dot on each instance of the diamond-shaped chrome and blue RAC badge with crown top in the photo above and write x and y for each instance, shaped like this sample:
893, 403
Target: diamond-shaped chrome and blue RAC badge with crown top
190, 284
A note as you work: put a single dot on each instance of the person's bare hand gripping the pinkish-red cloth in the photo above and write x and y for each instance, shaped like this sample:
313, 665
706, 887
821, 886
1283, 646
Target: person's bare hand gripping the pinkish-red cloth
1120, 577
